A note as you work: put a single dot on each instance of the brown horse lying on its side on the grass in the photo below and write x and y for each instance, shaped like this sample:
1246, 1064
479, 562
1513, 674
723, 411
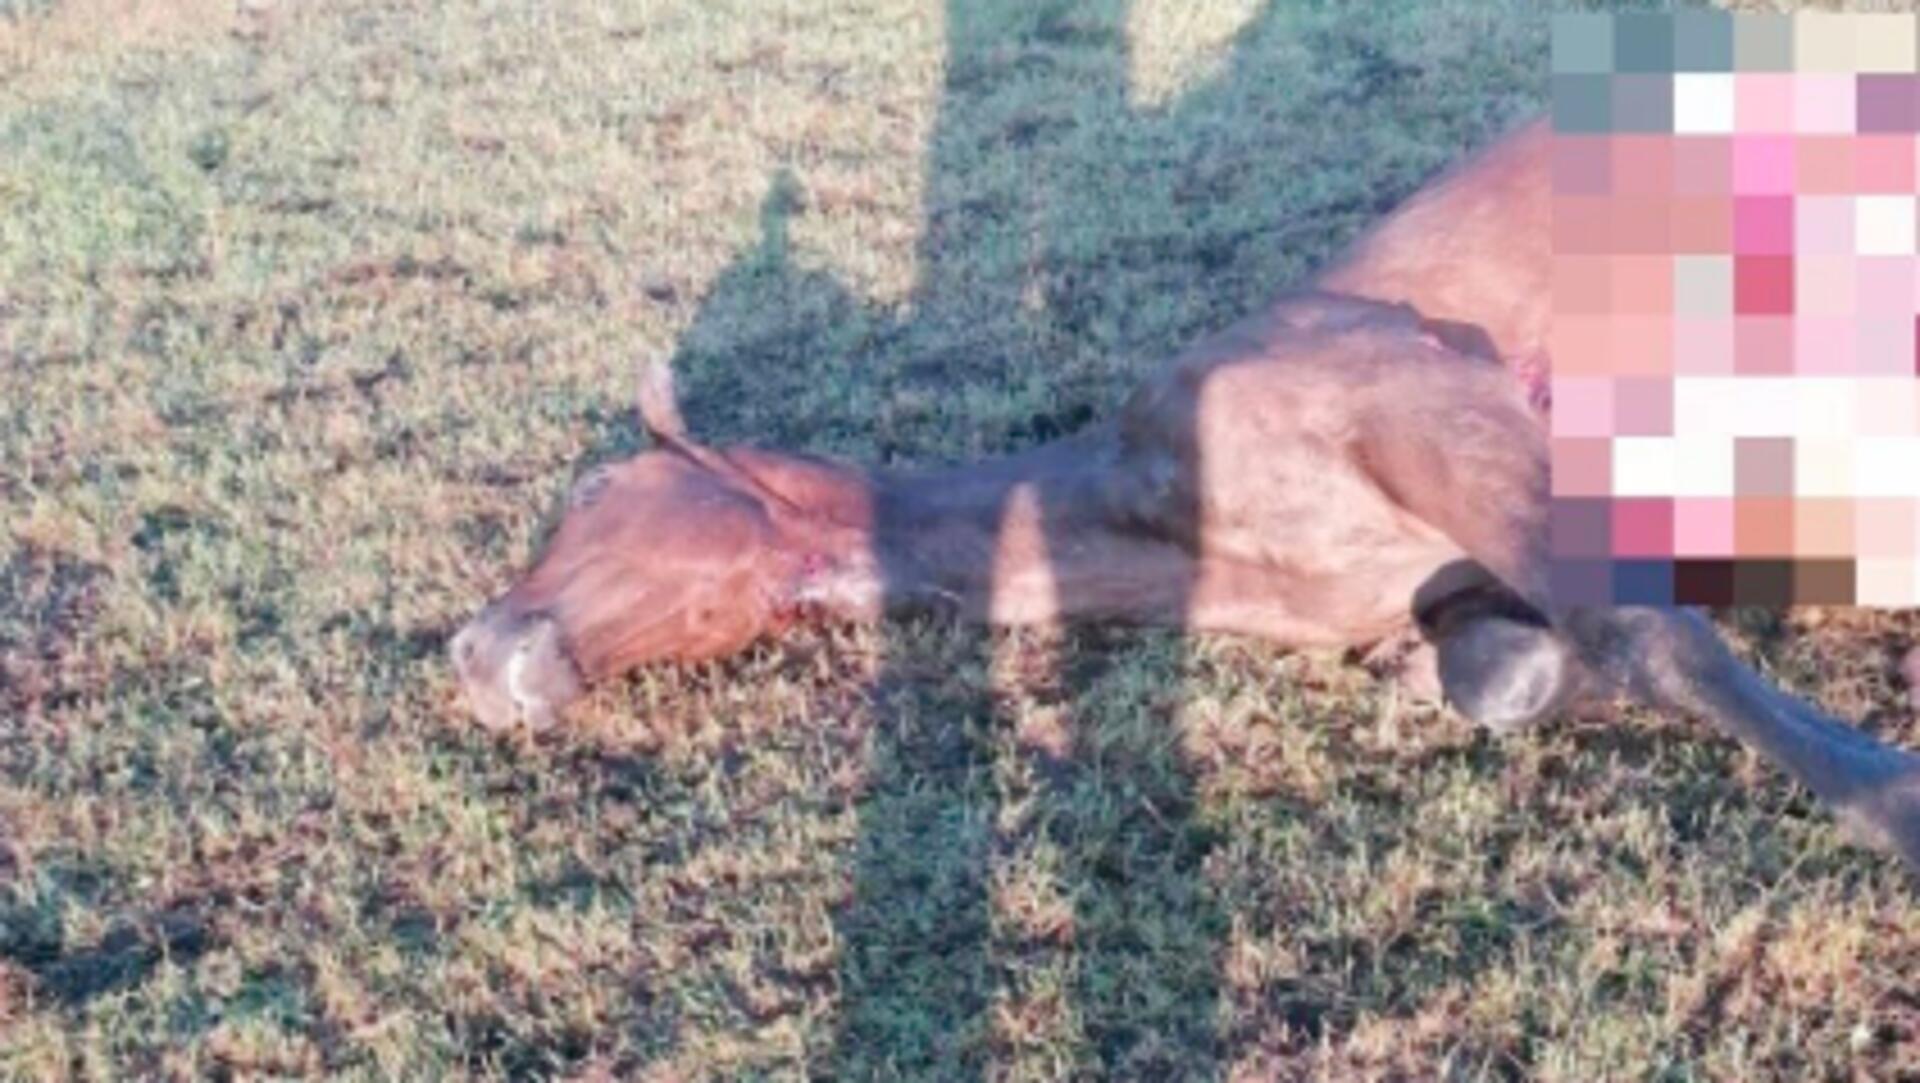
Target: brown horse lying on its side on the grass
1364, 458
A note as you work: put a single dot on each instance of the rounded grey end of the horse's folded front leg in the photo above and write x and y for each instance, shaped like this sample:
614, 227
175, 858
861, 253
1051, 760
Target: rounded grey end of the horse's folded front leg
1504, 675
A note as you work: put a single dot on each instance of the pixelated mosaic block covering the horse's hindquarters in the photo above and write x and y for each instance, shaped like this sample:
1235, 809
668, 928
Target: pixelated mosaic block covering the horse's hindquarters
1737, 418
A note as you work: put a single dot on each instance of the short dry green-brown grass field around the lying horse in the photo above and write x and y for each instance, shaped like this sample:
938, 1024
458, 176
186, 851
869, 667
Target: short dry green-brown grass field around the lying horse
312, 312
